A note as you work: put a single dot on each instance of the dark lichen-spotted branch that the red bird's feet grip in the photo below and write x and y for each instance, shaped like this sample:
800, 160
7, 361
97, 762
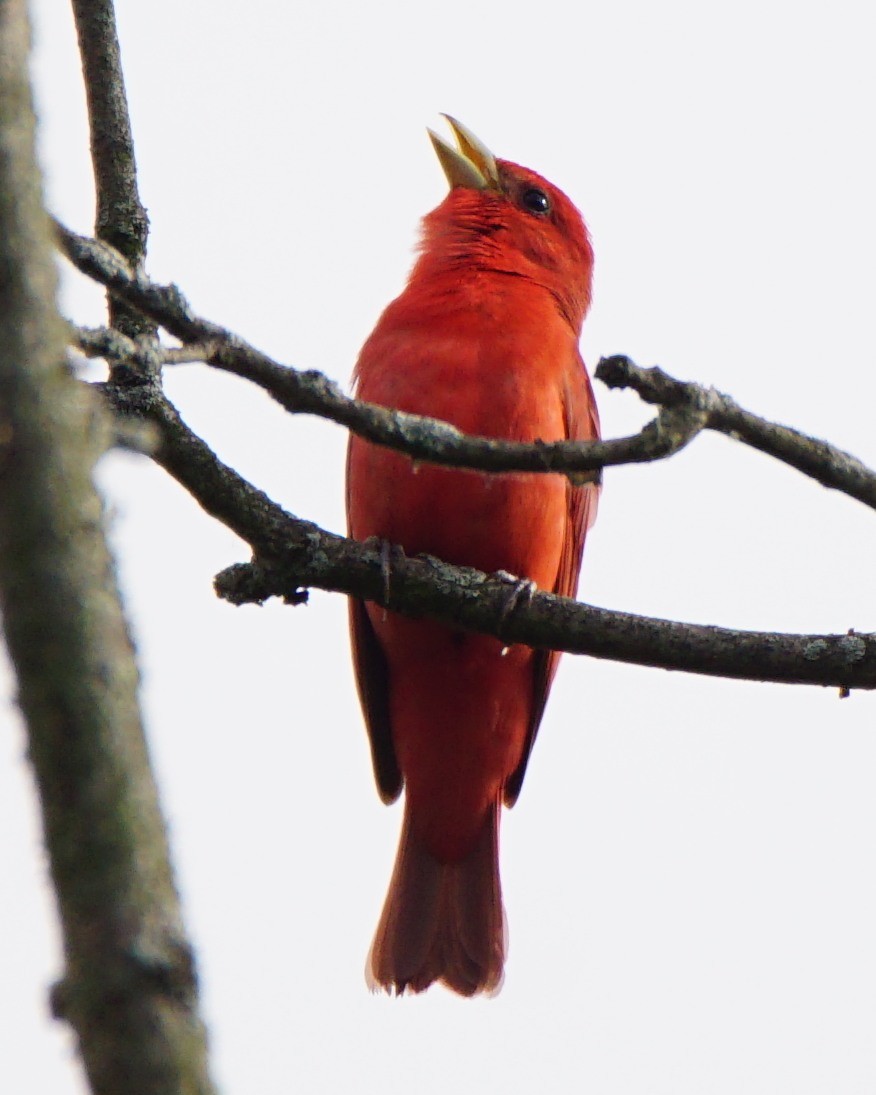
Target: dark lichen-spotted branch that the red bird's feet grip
294, 555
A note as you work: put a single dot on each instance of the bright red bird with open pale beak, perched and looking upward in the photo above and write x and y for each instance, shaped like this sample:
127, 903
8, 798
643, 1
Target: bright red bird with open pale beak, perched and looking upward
486, 336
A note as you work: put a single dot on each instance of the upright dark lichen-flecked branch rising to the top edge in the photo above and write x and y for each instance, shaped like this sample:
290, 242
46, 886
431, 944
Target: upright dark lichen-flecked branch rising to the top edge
121, 220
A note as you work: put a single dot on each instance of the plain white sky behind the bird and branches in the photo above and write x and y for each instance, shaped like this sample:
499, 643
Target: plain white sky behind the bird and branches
690, 874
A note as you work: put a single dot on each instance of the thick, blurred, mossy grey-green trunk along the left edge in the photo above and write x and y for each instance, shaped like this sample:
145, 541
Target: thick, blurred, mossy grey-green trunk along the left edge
130, 988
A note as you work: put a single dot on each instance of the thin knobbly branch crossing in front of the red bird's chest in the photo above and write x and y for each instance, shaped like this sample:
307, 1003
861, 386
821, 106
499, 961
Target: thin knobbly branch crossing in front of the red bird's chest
686, 409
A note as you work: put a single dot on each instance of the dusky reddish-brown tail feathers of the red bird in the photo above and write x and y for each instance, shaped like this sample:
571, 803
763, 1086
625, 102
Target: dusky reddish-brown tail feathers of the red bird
442, 921
